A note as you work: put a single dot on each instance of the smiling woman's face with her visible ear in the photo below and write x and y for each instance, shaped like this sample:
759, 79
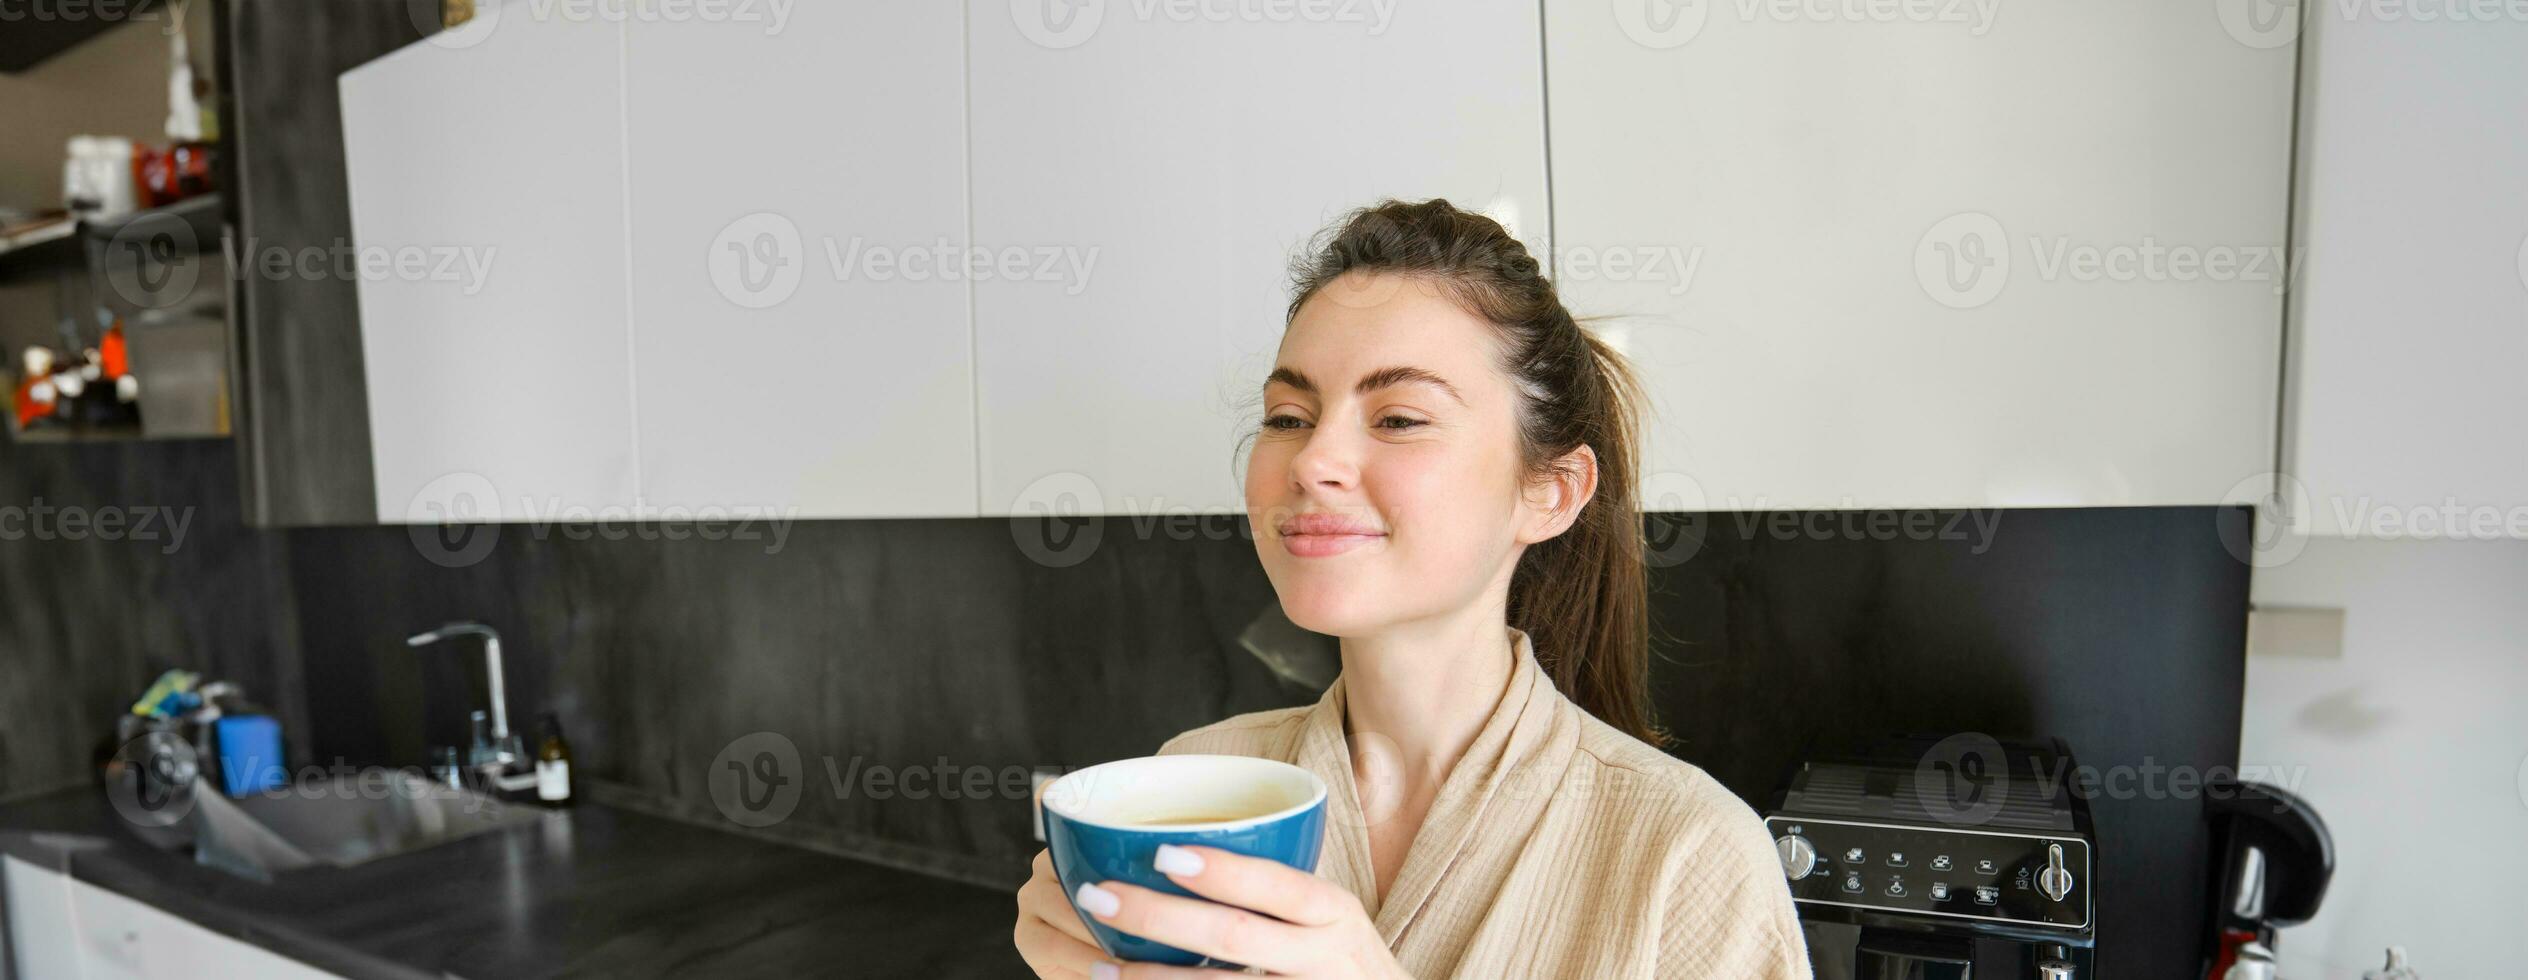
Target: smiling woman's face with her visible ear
1384, 481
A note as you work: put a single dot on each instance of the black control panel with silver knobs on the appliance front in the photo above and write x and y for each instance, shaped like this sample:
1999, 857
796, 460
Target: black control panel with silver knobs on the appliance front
1945, 873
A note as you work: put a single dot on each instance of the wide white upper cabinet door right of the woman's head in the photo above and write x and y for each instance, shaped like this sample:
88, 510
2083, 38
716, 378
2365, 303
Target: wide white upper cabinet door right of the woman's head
1996, 259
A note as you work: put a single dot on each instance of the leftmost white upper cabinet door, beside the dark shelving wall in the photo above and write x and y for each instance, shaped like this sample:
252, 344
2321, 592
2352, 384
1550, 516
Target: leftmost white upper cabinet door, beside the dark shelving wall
489, 188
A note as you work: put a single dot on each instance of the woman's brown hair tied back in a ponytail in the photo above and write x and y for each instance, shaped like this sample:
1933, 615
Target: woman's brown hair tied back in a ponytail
1584, 595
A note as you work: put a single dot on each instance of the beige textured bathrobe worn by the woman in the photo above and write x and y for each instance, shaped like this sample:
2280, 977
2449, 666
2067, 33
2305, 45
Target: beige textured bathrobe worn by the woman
1559, 847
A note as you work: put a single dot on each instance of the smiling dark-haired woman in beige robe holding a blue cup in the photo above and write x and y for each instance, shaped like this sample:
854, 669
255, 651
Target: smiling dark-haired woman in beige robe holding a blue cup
1445, 481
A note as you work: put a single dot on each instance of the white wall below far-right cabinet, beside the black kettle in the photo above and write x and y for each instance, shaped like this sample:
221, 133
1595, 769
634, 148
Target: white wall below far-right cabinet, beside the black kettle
2413, 746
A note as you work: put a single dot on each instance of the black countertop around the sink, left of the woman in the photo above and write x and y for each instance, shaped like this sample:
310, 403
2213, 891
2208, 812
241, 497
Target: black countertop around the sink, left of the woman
585, 893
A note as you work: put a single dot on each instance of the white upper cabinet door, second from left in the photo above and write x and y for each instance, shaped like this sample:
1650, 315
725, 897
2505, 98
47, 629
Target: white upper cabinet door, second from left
798, 198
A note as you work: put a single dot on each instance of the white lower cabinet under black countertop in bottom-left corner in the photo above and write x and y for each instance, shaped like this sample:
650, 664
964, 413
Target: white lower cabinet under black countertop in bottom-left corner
62, 928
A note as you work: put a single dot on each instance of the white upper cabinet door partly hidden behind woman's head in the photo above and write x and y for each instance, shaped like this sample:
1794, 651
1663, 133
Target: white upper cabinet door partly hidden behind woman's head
1144, 178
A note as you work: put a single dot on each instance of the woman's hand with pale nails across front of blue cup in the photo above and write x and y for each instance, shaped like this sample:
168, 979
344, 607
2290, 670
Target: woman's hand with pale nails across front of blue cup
1270, 916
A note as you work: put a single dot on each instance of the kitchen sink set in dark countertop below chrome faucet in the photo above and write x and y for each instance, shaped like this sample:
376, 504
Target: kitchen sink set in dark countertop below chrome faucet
343, 822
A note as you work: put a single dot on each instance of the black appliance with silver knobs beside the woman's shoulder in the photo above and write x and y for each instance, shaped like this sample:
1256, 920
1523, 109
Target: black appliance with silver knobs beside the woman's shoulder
1950, 857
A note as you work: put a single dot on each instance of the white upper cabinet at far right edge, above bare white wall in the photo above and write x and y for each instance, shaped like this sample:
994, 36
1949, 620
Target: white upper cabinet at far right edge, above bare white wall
2410, 330
